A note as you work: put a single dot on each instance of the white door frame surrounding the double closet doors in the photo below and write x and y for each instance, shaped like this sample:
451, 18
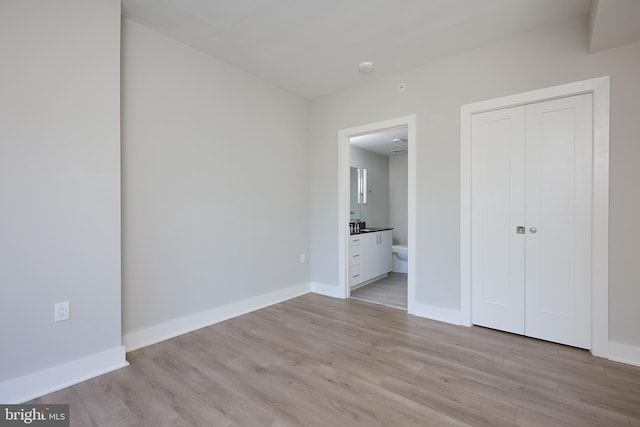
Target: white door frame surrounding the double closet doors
600, 88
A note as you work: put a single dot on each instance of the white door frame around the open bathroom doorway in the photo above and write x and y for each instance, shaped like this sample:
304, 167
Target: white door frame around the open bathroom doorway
344, 136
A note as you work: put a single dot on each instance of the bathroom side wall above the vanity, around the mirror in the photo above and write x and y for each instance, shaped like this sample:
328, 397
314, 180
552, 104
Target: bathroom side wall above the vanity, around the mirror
376, 212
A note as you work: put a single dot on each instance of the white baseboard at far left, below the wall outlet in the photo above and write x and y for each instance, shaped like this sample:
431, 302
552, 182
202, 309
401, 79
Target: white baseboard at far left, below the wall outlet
23, 389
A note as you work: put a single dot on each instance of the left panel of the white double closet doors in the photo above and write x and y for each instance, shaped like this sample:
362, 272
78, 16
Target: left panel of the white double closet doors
497, 270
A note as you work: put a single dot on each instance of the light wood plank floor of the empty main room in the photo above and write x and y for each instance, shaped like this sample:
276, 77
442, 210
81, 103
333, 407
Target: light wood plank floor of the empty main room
317, 361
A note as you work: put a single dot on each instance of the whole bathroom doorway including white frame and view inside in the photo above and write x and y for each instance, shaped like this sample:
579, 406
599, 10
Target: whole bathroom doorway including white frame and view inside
377, 212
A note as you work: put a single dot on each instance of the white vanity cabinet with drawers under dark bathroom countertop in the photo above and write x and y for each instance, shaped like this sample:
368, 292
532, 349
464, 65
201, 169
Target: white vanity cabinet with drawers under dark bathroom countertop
369, 256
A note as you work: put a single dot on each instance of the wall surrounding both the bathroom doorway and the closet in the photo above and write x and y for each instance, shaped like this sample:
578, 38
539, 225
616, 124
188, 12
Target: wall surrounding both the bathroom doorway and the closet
544, 58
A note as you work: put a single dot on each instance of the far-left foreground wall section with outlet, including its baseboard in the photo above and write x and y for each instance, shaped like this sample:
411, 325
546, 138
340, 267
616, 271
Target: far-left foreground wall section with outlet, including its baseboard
59, 192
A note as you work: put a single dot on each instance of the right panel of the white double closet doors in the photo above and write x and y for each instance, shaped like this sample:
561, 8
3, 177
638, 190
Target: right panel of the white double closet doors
558, 220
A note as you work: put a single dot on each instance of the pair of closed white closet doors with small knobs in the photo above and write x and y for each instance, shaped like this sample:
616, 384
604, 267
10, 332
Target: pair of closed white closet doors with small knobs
531, 219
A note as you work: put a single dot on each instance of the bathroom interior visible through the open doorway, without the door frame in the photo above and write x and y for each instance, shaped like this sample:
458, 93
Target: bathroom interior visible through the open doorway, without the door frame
378, 203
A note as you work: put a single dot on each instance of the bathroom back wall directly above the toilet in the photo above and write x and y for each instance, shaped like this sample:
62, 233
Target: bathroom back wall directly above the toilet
399, 198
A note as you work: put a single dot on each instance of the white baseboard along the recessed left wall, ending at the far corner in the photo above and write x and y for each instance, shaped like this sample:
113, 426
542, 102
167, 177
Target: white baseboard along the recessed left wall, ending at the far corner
163, 331
